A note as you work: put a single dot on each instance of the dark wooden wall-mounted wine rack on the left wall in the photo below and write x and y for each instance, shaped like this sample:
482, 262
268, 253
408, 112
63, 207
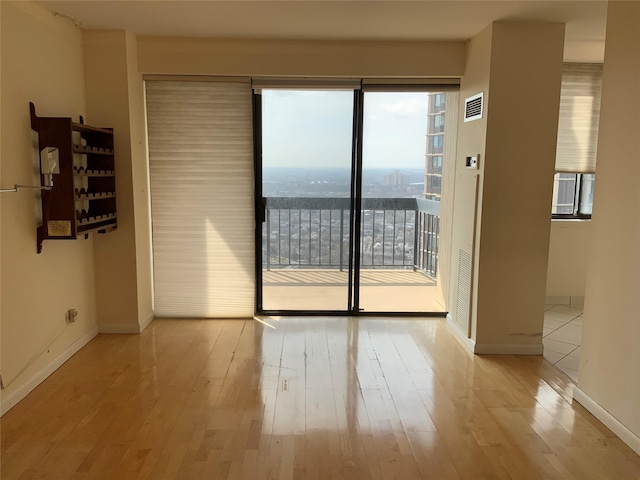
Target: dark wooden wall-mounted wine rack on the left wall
82, 198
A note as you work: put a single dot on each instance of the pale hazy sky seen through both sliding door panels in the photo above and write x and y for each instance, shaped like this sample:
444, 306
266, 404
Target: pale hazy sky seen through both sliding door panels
314, 129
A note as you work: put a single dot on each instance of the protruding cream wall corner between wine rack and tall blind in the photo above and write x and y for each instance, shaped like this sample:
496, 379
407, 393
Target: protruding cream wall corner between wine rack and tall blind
115, 98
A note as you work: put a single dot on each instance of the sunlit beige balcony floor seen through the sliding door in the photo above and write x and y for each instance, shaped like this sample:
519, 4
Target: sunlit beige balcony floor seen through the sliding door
326, 289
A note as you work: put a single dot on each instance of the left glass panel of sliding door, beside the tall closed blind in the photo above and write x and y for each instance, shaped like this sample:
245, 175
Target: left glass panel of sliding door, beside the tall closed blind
306, 187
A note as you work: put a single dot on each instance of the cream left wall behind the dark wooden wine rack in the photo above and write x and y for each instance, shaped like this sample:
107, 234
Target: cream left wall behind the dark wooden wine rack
41, 63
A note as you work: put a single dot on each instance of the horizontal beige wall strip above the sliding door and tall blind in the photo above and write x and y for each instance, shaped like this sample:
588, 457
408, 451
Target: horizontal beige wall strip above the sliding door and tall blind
205, 56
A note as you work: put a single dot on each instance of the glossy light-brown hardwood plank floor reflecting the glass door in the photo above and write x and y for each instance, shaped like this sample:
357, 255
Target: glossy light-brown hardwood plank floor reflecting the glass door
311, 398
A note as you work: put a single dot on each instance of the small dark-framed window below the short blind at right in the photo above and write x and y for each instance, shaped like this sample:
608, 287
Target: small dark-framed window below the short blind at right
572, 195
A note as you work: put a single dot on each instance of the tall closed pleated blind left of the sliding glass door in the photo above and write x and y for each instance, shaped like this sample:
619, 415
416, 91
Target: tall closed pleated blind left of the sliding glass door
201, 170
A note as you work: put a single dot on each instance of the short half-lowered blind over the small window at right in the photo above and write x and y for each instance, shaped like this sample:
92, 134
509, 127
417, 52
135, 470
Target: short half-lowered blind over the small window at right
579, 116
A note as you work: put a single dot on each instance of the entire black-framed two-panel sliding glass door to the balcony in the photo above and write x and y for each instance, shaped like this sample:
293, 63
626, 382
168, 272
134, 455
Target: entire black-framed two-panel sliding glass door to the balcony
348, 200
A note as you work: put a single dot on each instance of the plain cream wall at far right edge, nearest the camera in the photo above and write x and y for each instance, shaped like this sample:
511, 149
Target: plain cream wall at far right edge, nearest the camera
609, 376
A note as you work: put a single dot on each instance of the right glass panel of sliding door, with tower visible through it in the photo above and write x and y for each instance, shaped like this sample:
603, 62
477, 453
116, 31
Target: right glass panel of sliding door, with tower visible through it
400, 195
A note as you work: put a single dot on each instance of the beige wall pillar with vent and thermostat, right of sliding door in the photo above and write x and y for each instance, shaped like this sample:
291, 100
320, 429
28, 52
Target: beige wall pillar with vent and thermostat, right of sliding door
518, 65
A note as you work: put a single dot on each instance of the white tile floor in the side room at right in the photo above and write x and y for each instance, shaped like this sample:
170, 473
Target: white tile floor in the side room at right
562, 337
